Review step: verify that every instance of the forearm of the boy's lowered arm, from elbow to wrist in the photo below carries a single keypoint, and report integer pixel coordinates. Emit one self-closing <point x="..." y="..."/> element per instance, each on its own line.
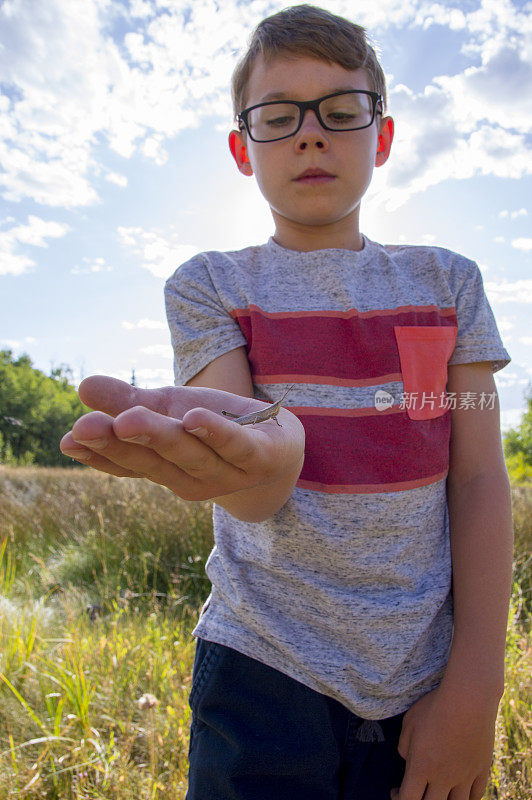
<point x="481" y="533"/>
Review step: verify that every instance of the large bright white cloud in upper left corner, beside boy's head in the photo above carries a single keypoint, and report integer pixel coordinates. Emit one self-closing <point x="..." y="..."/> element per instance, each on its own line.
<point x="72" y="85"/>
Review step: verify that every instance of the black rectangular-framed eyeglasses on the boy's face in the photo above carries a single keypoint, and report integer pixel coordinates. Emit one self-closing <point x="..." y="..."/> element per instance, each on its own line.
<point x="340" y="111"/>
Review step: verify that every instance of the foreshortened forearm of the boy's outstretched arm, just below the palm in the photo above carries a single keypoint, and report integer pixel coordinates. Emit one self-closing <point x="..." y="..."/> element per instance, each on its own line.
<point x="261" y="502"/>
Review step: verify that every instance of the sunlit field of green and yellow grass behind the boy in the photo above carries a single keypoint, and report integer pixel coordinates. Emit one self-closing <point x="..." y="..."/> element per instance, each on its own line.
<point x="101" y="582"/>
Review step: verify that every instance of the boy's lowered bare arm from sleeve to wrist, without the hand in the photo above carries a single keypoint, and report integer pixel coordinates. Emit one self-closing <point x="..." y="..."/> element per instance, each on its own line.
<point x="478" y="492"/>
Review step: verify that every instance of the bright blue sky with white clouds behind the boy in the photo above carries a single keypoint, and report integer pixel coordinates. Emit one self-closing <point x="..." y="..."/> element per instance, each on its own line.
<point x="115" y="167"/>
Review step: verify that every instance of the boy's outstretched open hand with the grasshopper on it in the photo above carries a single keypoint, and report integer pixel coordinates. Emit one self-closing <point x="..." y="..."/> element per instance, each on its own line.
<point x="146" y="433"/>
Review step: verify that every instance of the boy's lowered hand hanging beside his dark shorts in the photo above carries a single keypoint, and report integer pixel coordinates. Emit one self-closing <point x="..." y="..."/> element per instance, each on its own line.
<point x="447" y="741"/>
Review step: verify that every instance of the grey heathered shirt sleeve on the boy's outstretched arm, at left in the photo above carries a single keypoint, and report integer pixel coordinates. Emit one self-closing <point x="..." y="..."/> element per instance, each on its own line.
<point x="201" y="327"/>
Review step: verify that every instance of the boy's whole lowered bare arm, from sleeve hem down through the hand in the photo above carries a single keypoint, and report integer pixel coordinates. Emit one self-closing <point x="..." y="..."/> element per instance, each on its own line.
<point x="447" y="736"/>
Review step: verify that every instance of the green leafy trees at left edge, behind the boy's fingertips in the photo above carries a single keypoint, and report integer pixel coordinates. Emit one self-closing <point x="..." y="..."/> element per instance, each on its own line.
<point x="36" y="410"/>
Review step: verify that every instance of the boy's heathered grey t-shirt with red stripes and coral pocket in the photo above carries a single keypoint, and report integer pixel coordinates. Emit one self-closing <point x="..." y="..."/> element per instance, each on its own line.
<point x="347" y="588"/>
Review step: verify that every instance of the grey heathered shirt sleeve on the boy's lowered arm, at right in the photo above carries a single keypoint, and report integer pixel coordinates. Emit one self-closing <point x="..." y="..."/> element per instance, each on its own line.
<point x="478" y="337"/>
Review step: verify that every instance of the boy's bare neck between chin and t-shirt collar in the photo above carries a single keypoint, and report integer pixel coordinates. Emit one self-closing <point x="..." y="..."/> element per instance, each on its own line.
<point x="343" y="234"/>
